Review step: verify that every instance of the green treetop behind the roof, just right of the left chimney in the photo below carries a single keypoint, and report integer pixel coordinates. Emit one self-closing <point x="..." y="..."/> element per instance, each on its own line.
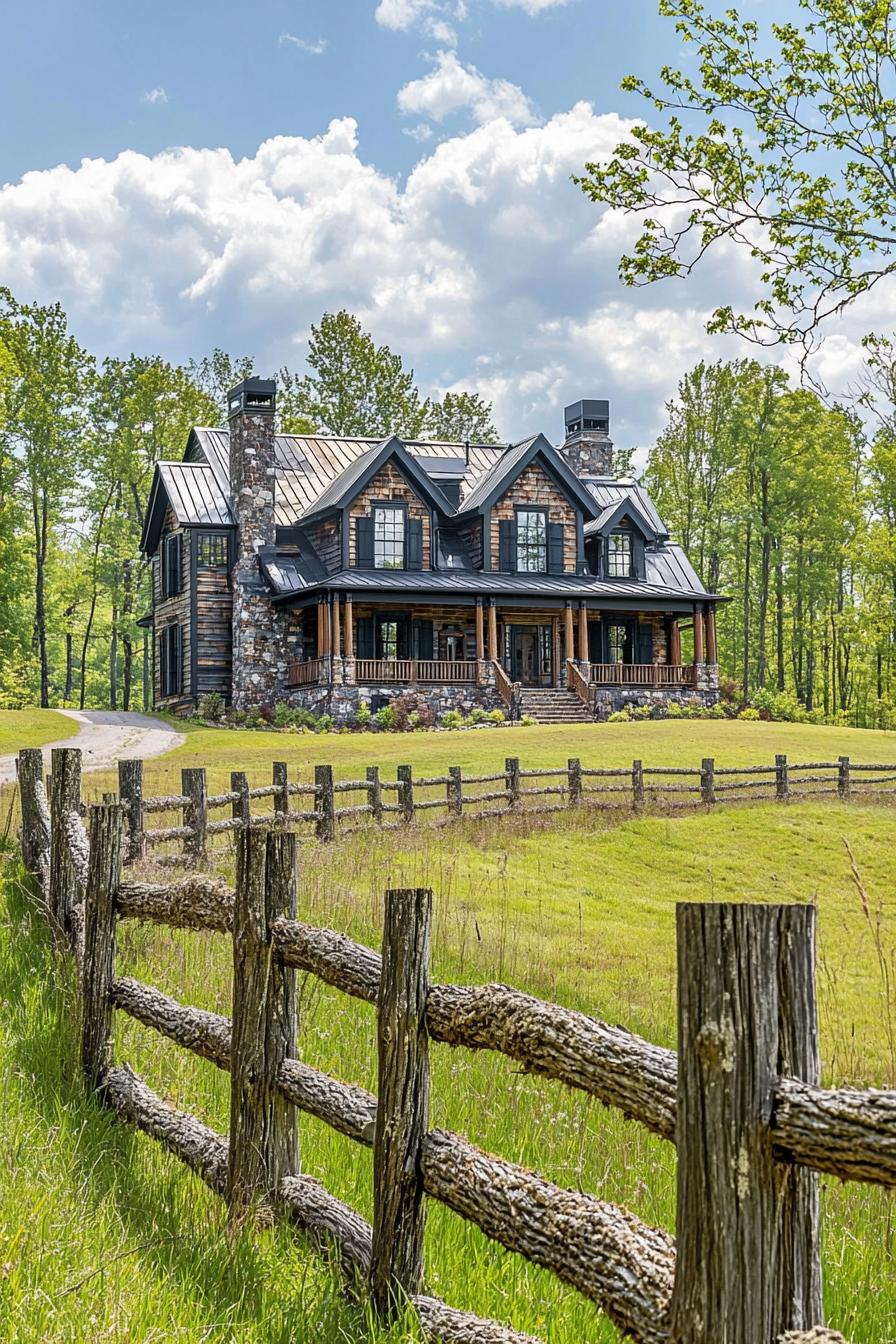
<point x="357" y="388"/>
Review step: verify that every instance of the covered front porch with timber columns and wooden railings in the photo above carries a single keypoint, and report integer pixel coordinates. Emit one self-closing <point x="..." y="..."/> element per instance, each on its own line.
<point x="345" y="640"/>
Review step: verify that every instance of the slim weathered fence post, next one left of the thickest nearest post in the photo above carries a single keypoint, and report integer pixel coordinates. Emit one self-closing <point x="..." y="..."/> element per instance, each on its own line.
<point x="404" y="1088"/>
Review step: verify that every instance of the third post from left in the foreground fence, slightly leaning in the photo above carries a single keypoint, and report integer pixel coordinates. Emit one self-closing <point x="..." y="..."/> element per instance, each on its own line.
<point x="99" y="967"/>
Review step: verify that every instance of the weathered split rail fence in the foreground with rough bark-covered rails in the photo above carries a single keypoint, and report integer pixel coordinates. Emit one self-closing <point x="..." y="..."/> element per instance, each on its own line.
<point x="741" y="1100"/>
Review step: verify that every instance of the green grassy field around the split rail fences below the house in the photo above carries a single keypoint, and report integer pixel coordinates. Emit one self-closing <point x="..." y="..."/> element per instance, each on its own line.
<point x="104" y="1237"/>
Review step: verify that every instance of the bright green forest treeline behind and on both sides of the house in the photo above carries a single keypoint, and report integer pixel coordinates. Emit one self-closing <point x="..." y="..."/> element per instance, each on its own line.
<point x="785" y="505"/>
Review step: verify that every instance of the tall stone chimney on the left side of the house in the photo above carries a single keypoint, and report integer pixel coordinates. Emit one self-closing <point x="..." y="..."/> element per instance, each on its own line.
<point x="259" y="661"/>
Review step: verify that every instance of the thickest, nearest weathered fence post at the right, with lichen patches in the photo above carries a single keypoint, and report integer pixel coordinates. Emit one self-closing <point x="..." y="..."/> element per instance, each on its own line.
<point x="748" y="1232"/>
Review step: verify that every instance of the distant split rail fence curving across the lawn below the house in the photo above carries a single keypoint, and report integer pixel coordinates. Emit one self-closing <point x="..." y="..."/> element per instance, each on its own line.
<point x="327" y="808"/>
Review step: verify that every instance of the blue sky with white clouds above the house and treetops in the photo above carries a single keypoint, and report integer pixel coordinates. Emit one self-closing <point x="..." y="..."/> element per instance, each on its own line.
<point x="209" y="174"/>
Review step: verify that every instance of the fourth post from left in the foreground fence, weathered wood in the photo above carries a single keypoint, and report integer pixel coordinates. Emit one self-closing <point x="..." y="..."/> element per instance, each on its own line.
<point x="264" y="1140"/>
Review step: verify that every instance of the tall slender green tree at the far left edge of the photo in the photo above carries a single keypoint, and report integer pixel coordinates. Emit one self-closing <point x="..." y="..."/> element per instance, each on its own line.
<point x="44" y="419"/>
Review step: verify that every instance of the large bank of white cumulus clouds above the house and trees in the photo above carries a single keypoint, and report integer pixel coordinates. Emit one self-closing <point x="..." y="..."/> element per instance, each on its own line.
<point x="486" y="269"/>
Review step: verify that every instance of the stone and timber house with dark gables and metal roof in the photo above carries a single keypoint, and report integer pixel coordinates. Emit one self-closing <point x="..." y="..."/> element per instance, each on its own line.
<point x="326" y="572"/>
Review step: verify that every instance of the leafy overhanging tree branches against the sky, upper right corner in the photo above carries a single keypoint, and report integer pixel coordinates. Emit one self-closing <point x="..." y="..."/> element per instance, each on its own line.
<point x="780" y="143"/>
